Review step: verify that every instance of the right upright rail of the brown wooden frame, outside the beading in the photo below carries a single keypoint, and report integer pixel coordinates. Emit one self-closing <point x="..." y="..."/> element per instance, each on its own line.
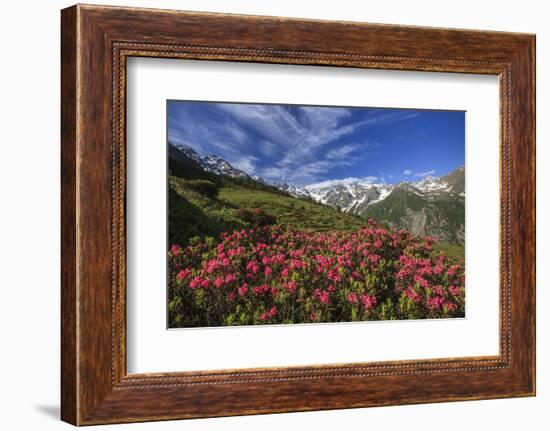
<point x="523" y="178"/>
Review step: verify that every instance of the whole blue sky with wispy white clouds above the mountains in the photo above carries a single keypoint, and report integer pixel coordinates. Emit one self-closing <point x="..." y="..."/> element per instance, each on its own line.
<point x="303" y="145"/>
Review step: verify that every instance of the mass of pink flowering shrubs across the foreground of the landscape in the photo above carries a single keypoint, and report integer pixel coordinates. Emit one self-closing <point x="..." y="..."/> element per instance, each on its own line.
<point x="269" y="274"/>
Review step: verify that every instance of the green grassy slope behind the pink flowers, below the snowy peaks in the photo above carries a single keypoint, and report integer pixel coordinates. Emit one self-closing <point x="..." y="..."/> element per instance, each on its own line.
<point x="192" y="213"/>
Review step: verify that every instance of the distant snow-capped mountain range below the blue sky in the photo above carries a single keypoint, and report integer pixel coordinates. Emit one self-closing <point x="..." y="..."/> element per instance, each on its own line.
<point x="433" y="206"/>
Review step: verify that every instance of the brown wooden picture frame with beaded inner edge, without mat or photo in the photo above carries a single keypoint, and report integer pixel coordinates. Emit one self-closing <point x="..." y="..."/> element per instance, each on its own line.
<point x="96" y="41"/>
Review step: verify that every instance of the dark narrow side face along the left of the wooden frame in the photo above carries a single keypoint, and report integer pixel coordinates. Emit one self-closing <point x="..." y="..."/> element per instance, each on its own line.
<point x="69" y="196"/>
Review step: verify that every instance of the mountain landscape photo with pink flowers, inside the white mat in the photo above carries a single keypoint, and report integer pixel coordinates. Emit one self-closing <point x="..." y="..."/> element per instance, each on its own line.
<point x="293" y="214"/>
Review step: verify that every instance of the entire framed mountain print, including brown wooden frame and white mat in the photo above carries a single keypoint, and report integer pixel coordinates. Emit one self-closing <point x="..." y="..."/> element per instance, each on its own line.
<point x="265" y="214"/>
